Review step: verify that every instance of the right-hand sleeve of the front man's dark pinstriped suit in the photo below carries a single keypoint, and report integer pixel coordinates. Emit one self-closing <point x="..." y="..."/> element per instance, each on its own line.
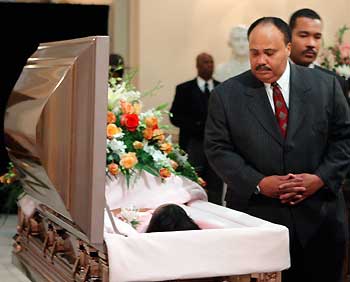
<point x="336" y="161"/>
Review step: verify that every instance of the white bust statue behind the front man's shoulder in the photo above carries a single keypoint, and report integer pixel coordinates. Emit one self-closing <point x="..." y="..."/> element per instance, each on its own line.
<point x="239" y="61"/>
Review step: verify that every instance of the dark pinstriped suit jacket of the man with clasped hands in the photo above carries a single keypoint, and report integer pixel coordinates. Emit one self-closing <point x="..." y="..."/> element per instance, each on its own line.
<point x="243" y="144"/>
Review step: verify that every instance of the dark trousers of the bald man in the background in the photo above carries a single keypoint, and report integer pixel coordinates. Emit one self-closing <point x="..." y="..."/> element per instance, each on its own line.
<point x="197" y="158"/>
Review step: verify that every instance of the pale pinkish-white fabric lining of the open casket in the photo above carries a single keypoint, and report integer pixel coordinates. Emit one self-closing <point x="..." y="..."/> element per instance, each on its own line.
<point x="230" y="242"/>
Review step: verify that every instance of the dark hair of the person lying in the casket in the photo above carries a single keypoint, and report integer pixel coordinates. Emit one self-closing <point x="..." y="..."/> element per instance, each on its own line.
<point x="171" y="217"/>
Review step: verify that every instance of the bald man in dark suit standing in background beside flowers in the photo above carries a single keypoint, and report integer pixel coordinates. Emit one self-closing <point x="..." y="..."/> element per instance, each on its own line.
<point x="189" y="112"/>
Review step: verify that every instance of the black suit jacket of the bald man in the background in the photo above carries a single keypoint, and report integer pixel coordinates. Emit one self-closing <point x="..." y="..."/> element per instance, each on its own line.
<point x="189" y="110"/>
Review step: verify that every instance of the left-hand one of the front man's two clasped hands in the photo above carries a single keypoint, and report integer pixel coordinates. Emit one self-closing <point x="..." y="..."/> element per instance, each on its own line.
<point x="270" y="185"/>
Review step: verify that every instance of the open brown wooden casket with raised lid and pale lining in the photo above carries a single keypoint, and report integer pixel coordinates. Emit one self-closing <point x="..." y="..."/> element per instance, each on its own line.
<point x="55" y="136"/>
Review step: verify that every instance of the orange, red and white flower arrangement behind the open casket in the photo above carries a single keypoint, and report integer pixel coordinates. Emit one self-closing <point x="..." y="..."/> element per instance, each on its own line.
<point x="137" y="141"/>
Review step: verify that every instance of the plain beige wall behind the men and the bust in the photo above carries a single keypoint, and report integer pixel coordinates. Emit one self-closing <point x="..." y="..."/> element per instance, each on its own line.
<point x="166" y="35"/>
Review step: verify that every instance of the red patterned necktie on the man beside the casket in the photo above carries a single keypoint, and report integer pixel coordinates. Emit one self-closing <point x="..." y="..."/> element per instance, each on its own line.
<point x="281" y="110"/>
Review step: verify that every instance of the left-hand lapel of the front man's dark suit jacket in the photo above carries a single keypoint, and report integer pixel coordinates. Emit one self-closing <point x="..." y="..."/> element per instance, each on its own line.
<point x="260" y="107"/>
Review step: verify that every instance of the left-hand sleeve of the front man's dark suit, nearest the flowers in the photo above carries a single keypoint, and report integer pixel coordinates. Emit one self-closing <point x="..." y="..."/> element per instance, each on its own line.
<point x="222" y="155"/>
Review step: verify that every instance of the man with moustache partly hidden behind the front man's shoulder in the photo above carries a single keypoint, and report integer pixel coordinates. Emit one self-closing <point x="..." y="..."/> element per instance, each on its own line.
<point x="306" y="27"/>
